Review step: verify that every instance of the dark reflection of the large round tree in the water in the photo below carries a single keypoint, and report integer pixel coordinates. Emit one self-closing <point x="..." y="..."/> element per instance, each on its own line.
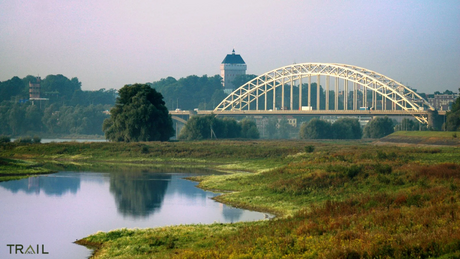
<point x="137" y="196"/>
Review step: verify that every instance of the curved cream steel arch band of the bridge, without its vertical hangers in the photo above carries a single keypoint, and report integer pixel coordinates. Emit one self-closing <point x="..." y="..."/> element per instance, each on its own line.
<point x="399" y="94"/>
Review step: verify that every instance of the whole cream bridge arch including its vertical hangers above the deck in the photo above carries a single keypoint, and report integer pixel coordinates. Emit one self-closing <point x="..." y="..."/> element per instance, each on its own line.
<point x="385" y="92"/>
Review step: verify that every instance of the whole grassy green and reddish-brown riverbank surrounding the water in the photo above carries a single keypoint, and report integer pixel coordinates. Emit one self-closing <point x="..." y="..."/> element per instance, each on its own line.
<point x="333" y="199"/>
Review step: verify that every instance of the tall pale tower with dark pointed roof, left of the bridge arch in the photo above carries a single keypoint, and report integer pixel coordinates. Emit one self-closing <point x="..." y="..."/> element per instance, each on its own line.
<point x="232" y="66"/>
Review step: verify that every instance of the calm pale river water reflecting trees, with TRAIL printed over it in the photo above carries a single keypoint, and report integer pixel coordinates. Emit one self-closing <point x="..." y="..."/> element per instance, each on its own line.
<point x="44" y="215"/>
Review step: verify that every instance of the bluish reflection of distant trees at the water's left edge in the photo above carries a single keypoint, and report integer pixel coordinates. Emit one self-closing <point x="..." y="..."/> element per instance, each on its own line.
<point x="51" y="185"/>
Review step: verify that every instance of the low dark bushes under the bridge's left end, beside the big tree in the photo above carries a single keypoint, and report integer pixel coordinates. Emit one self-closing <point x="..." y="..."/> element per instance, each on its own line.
<point x="210" y="126"/>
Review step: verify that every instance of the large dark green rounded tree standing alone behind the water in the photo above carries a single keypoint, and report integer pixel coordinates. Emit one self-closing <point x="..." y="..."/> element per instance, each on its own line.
<point x="139" y="114"/>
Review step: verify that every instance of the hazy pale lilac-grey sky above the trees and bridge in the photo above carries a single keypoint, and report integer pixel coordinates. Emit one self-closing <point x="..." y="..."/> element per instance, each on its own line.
<point x="110" y="43"/>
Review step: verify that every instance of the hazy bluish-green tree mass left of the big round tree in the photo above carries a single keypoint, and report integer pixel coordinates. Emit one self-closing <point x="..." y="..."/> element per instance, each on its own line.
<point x="67" y="110"/>
